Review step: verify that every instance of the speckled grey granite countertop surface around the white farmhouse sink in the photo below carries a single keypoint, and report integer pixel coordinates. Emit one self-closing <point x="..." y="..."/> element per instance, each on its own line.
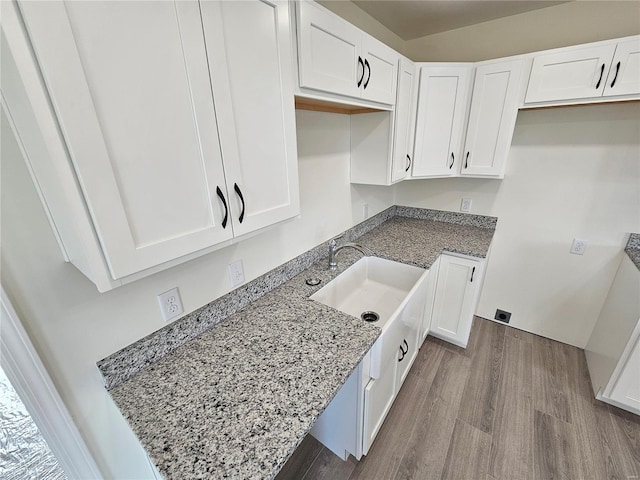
<point x="237" y="400"/>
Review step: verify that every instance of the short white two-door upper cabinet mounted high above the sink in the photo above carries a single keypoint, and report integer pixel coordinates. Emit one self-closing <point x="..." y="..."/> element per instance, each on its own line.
<point x="338" y="58"/>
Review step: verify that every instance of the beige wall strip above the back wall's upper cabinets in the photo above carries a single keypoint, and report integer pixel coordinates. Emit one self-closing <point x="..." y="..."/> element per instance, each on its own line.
<point x="566" y="24"/>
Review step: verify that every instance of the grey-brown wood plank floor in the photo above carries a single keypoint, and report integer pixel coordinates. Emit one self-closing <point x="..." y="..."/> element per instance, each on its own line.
<point x="512" y="406"/>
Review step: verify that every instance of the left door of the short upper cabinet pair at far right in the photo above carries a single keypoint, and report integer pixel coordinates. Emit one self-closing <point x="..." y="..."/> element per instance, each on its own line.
<point x="578" y="73"/>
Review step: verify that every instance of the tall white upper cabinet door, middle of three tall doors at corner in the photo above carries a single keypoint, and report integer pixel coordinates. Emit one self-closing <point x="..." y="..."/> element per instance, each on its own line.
<point x="442" y="105"/>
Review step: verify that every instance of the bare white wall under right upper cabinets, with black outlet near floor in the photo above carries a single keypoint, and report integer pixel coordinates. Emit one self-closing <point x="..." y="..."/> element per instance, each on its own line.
<point x="571" y="172"/>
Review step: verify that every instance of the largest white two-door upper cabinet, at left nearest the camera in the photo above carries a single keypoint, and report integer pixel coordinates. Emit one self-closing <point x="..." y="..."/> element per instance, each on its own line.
<point x="177" y="145"/>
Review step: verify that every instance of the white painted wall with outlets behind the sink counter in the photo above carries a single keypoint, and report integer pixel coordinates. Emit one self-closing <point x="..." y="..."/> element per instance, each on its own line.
<point x="73" y="326"/>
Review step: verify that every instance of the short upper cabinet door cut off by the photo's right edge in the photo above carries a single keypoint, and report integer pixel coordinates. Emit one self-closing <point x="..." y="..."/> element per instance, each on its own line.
<point x="624" y="74"/>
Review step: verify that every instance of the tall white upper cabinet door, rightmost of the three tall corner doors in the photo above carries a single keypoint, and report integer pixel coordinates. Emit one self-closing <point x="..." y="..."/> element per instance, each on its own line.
<point x="492" y="119"/>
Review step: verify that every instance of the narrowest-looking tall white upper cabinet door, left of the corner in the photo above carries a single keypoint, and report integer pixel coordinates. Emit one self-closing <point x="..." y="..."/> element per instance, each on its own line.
<point x="401" y="162"/>
